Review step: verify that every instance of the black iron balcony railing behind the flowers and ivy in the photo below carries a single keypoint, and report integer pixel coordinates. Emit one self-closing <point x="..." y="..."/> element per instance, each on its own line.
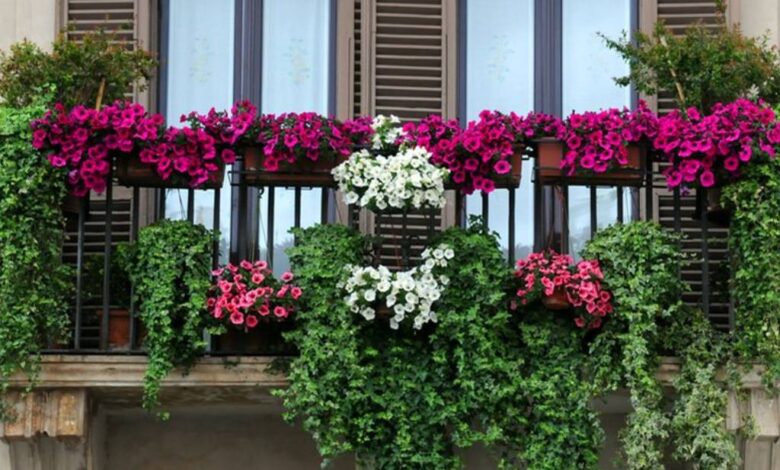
<point x="102" y="223"/>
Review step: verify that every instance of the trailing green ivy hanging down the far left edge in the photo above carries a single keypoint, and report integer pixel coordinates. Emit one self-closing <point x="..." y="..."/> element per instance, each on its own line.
<point x="34" y="284"/>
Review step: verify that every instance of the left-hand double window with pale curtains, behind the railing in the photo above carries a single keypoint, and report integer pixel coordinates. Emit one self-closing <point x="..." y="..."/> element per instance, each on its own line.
<point x="212" y="51"/>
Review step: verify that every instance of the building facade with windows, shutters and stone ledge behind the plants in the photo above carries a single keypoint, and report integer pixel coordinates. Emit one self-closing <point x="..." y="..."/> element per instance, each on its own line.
<point x="410" y="58"/>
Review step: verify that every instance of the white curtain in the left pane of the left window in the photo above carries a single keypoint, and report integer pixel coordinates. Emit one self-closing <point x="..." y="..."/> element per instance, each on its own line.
<point x="199" y="64"/>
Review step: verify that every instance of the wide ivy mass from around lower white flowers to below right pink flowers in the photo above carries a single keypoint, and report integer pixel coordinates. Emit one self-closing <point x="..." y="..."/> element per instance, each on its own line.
<point x="400" y="399"/>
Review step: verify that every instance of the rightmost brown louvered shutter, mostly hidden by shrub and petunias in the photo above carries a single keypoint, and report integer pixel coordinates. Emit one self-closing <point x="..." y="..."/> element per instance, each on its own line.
<point x="678" y="15"/>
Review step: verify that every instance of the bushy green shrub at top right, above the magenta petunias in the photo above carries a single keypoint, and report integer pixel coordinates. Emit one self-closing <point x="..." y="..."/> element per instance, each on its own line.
<point x="705" y="65"/>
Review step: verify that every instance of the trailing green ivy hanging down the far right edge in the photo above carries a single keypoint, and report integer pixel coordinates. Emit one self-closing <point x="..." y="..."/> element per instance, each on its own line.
<point x="754" y="242"/>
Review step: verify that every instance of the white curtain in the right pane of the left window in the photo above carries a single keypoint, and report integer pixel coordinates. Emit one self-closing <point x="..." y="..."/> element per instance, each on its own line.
<point x="296" y="51"/>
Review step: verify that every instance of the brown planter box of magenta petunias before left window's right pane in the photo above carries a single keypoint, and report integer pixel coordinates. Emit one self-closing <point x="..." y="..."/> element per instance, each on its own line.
<point x="303" y="173"/>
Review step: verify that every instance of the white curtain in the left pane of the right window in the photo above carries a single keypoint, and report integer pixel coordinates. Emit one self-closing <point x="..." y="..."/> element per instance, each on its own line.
<point x="499" y="76"/>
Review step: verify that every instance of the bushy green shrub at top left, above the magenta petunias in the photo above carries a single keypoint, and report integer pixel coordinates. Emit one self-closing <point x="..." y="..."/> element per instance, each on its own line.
<point x="75" y="72"/>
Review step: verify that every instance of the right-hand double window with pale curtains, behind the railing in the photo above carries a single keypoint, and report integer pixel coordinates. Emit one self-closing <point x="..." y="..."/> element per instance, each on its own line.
<point x="505" y="41"/>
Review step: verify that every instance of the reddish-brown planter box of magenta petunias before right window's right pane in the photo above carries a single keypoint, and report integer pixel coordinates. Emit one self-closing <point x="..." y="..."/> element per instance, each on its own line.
<point x="550" y="152"/>
